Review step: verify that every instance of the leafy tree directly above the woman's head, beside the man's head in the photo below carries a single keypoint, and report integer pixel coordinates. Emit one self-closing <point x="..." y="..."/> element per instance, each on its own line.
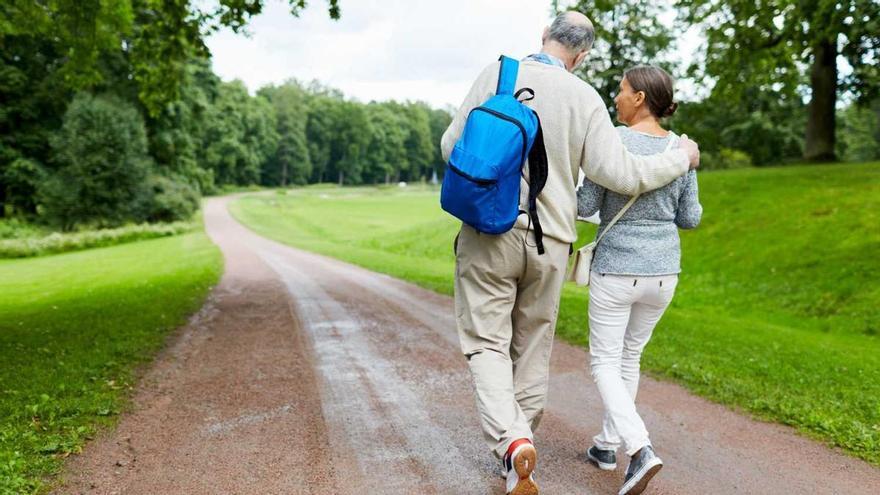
<point x="628" y="33"/>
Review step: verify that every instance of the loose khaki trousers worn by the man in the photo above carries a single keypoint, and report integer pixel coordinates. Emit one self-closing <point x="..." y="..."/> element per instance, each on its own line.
<point x="506" y="303"/>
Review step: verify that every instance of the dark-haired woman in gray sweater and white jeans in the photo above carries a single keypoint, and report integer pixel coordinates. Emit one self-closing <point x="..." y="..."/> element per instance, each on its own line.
<point x="634" y="273"/>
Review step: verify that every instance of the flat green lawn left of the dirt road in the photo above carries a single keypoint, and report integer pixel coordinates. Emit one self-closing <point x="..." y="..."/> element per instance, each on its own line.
<point x="73" y="329"/>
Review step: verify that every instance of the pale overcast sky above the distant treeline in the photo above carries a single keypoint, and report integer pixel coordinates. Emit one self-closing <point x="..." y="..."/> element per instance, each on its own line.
<point x="382" y="49"/>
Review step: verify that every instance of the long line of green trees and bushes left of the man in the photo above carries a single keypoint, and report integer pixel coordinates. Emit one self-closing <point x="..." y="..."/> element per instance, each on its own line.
<point x="98" y="158"/>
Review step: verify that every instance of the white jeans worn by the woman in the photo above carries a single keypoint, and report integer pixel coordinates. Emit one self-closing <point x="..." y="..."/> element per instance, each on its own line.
<point x="623" y="313"/>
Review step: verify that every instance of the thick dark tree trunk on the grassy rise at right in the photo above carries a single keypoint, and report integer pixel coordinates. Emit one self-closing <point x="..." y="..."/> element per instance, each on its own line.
<point x="820" y="137"/>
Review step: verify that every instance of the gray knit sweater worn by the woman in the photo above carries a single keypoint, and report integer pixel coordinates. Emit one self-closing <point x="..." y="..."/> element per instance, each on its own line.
<point x="645" y="239"/>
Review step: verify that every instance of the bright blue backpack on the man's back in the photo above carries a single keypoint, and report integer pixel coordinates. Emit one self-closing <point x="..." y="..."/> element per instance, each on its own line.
<point x="481" y="186"/>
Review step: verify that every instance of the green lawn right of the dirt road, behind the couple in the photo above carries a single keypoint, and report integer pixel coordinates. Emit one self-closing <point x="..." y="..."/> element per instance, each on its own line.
<point x="777" y="311"/>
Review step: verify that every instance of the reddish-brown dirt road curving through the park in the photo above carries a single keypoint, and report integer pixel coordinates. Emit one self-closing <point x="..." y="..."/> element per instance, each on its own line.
<point x="303" y="374"/>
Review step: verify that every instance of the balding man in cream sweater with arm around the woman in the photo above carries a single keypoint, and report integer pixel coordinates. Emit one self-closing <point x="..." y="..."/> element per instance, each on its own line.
<point x="506" y="293"/>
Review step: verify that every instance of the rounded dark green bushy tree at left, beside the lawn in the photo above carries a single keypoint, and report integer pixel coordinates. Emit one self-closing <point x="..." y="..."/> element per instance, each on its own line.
<point x="101" y="155"/>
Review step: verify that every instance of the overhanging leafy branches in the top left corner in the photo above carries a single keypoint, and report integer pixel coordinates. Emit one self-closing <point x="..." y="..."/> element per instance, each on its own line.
<point x="158" y="36"/>
